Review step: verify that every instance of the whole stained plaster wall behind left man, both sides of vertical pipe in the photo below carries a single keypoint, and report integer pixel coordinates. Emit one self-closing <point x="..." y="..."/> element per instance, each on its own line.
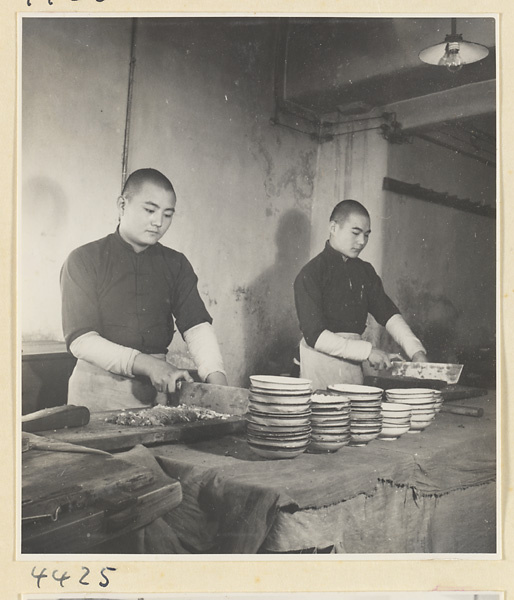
<point x="202" y="102"/>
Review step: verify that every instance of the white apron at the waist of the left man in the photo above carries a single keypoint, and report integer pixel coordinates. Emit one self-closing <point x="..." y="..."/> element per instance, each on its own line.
<point x="101" y="390"/>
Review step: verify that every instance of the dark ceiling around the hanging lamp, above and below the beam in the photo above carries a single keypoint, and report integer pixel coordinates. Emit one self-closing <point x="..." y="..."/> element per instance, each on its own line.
<point x="340" y="65"/>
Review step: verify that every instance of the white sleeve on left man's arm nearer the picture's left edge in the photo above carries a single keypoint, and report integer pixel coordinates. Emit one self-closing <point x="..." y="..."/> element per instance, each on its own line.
<point x="112" y="357"/>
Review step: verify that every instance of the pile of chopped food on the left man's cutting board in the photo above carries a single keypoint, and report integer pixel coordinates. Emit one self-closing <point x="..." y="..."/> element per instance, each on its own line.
<point x="165" y="415"/>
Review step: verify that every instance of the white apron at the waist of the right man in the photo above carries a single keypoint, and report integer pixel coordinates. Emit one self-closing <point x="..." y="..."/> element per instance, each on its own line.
<point x="324" y="370"/>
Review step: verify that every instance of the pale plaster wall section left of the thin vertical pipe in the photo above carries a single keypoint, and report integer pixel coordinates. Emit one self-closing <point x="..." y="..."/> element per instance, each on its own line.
<point x="74" y="88"/>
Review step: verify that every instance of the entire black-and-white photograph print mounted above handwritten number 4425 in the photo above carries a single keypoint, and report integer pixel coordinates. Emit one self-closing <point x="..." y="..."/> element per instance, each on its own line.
<point x="257" y="286"/>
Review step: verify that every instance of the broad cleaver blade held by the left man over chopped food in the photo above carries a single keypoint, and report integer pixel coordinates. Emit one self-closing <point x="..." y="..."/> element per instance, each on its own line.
<point x="221" y="398"/>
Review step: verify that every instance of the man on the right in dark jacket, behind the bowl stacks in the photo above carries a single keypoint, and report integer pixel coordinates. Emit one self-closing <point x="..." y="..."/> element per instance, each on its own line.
<point x="334" y="293"/>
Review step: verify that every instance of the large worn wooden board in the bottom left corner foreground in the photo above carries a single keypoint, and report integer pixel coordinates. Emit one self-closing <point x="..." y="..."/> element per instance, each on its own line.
<point x="71" y="502"/>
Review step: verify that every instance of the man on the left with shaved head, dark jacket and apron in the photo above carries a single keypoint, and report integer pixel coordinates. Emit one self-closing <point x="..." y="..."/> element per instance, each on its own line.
<point x="121" y="298"/>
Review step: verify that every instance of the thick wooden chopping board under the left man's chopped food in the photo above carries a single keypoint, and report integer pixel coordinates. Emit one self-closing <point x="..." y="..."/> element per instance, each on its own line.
<point x="110" y="437"/>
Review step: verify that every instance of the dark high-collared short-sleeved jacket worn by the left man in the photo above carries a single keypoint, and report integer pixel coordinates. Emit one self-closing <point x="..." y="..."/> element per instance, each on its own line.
<point x="133" y="299"/>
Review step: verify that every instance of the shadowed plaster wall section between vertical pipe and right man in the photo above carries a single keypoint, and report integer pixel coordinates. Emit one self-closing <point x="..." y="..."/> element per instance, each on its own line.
<point x="201" y="113"/>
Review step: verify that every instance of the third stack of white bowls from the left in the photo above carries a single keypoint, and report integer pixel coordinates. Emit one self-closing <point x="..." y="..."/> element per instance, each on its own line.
<point x="365" y="411"/>
